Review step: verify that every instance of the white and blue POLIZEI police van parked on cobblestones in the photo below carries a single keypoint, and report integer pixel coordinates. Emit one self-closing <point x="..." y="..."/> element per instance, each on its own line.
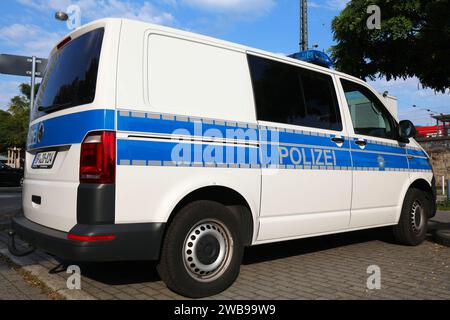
<point x="149" y="143"/>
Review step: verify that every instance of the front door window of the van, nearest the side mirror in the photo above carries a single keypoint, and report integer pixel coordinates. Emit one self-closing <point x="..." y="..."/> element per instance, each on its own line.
<point x="369" y="116"/>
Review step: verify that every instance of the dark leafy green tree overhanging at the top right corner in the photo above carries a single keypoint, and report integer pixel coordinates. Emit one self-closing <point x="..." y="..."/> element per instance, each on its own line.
<point x="414" y="40"/>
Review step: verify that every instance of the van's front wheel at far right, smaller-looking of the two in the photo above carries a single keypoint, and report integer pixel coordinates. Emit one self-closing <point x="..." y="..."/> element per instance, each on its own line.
<point x="412" y="227"/>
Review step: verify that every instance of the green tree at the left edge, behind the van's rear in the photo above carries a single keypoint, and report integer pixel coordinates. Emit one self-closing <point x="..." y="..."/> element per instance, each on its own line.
<point x="14" y="122"/>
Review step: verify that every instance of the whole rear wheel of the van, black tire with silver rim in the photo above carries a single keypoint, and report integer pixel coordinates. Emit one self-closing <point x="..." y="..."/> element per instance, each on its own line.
<point x="212" y="225"/>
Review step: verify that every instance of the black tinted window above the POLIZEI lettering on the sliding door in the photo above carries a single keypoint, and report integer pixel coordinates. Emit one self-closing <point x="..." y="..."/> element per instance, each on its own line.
<point x="292" y="95"/>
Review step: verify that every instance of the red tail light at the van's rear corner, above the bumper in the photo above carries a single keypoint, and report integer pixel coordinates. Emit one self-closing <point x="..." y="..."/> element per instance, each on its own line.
<point x="98" y="158"/>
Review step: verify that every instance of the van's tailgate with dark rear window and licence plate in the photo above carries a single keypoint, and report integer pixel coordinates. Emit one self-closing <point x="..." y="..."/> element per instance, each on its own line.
<point x="65" y="111"/>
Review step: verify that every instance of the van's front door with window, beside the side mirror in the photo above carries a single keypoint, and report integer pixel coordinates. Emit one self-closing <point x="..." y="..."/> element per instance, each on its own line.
<point x="380" y="164"/>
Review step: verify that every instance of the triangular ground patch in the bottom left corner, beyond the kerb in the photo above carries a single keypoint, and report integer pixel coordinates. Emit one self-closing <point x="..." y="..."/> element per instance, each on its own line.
<point x="14" y="287"/>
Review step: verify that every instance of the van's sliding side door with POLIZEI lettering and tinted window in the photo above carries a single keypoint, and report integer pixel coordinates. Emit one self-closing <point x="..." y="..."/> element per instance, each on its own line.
<point x="306" y="166"/>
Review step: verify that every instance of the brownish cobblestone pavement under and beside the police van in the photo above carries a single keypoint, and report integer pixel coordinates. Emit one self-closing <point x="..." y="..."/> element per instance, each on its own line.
<point x="330" y="267"/>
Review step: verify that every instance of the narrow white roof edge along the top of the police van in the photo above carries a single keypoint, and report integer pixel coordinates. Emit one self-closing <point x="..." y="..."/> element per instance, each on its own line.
<point x="210" y="40"/>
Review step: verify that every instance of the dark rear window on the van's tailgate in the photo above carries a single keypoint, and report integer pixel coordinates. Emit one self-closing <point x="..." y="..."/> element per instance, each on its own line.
<point x="71" y="76"/>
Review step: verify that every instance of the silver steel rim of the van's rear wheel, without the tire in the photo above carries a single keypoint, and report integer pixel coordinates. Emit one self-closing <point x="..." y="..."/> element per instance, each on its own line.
<point x="207" y="250"/>
